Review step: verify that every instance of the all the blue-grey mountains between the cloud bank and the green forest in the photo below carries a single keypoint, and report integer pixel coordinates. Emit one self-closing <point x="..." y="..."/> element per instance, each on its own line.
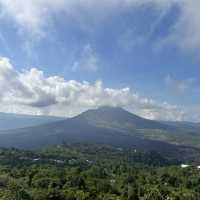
<point x="105" y="125"/>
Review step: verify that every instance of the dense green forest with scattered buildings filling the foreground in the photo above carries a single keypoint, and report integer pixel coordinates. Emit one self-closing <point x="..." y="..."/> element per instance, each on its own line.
<point x="94" y="172"/>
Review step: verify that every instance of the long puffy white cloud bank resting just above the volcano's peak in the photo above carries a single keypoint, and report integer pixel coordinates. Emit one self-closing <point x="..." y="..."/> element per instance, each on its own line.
<point x="32" y="93"/>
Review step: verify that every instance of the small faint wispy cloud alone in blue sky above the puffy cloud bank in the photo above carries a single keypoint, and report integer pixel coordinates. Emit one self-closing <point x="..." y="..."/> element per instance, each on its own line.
<point x="88" y="60"/>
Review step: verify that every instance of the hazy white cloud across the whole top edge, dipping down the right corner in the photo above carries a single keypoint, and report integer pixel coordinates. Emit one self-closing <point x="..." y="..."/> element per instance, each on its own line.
<point x="36" y="16"/>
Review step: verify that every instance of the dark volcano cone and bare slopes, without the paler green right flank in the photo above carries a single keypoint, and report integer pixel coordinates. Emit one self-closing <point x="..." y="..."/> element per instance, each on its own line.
<point x="105" y="125"/>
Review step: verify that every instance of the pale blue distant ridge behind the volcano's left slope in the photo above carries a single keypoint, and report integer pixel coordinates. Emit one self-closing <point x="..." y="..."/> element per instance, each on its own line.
<point x="13" y="121"/>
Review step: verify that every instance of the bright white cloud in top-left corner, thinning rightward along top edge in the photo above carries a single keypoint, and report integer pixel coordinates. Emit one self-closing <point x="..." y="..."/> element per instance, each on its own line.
<point x="36" y="15"/>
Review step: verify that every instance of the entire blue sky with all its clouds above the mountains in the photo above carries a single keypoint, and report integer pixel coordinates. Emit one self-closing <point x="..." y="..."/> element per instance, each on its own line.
<point x="63" y="57"/>
